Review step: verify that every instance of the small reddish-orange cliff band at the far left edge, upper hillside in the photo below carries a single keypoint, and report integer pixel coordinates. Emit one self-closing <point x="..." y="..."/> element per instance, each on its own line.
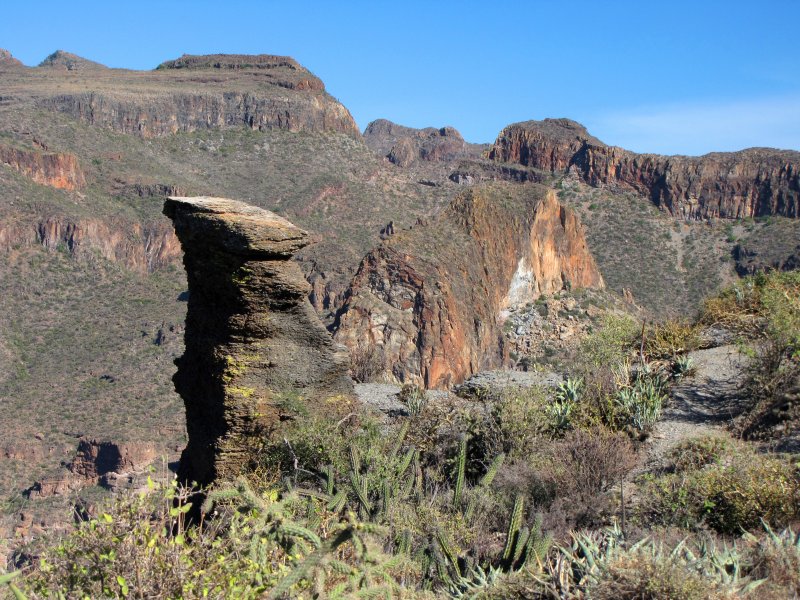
<point x="47" y="168"/>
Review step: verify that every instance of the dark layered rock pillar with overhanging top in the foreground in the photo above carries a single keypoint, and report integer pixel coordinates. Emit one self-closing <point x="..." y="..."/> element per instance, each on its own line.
<point x="255" y="349"/>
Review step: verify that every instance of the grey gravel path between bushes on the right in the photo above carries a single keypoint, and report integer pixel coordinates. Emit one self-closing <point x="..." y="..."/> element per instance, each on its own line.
<point x="700" y="404"/>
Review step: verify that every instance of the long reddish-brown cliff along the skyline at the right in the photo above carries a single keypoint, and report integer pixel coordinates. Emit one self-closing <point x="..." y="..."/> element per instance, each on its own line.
<point x="750" y="183"/>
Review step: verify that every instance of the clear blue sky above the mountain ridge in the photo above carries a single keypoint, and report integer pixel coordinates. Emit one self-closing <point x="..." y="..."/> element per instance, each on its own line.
<point x="669" y="77"/>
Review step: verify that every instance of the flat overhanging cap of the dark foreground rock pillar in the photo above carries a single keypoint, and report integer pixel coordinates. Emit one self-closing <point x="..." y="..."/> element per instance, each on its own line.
<point x="234" y="227"/>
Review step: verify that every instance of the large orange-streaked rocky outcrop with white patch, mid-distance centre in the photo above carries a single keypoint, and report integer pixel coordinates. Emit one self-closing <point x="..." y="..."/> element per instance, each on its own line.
<point x="431" y="299"/>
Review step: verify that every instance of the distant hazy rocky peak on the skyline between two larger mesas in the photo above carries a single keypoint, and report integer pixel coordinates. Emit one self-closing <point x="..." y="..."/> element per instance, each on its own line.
<point x="405" y="146"/>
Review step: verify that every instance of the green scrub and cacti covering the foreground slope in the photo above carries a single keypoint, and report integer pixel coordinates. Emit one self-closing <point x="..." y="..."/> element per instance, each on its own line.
<point x="520" y="493"/>
